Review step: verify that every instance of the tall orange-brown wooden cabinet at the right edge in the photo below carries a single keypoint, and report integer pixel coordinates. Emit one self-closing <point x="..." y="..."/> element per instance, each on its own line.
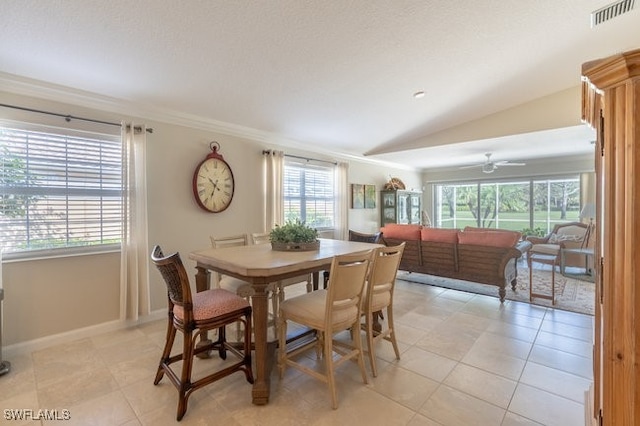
<point x="611" y="104"/>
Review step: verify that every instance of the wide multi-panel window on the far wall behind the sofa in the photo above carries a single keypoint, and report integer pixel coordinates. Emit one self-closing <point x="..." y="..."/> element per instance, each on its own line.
<point x="516" y="205"/>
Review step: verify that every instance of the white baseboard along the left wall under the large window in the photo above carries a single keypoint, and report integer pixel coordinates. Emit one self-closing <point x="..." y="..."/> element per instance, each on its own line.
<point x="81" y="333"/>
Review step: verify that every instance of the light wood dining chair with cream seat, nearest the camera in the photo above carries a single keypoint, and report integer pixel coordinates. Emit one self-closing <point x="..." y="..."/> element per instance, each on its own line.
<point x="328" y="312"/>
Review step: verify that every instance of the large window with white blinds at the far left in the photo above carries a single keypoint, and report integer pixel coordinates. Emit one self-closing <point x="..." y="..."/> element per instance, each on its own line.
<point x="59" y="190"/>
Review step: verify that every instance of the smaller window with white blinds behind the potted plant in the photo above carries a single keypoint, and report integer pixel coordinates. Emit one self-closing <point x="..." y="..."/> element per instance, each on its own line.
<point x="309" y="194"/>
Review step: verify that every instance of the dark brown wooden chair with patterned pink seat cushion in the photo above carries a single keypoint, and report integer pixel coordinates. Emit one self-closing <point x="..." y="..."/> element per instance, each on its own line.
<point x="193" y="315"/>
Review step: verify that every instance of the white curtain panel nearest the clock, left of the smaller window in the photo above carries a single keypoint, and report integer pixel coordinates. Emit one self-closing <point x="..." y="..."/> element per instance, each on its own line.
<point x="273" y="188"/>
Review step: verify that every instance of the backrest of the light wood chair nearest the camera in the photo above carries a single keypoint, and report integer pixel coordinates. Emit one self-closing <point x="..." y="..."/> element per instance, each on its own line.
<point x="344" y="291"/>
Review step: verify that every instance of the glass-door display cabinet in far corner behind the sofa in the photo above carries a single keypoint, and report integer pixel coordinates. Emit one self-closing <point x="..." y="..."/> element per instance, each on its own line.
<point x="400" y="206"/>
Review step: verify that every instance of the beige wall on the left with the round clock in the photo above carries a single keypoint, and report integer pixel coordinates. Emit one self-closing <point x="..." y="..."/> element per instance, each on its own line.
<point x="60" y="296"/>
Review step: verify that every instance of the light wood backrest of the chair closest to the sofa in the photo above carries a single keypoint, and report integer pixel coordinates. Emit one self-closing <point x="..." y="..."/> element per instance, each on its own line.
<point x="382" y="275"/>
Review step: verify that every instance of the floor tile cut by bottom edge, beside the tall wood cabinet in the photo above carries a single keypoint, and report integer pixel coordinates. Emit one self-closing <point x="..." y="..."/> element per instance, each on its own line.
<point x="546" y="408"/>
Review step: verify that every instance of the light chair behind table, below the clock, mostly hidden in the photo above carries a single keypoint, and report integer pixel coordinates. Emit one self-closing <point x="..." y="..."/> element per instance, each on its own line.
<point x="238" y="286"/>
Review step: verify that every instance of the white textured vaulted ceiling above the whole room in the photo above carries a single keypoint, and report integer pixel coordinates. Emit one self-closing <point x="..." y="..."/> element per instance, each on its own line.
<point x="329" y="76"/>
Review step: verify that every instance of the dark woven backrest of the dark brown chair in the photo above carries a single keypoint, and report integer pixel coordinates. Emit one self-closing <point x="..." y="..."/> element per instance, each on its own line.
<point x="175" y="277"/>
